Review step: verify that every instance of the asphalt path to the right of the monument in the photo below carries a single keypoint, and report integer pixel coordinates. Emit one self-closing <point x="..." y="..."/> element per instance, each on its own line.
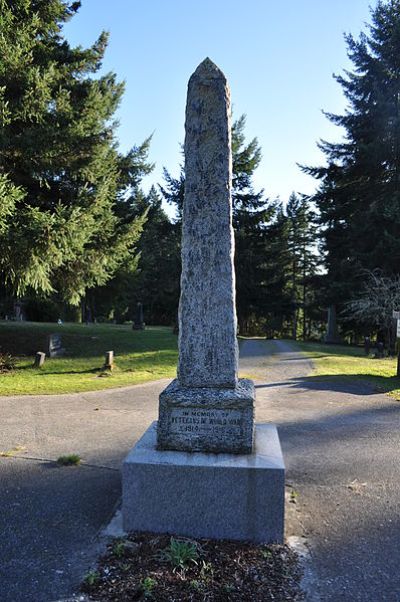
<point x="341" y="446"/>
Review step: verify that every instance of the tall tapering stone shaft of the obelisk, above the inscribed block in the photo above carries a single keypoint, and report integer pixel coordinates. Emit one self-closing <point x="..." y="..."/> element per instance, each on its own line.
<point x="208" y="353"/>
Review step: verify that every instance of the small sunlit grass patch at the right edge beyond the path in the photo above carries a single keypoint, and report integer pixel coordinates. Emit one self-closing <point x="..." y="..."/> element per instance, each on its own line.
<point x="351" y="363"/>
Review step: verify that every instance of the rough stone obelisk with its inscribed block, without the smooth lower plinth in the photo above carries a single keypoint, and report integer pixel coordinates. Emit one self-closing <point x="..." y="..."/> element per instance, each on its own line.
<point x="206" y="408"/>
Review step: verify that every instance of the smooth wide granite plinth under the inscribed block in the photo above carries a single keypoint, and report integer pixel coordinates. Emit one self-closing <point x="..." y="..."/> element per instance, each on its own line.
<point x="205" y="495"/>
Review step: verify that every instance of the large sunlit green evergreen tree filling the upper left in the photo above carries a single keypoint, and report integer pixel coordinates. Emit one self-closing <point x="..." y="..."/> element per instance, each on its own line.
<point x="62" y="178"/>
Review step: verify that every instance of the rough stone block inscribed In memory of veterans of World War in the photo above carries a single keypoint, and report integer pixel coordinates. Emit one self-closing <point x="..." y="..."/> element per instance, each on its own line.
<point x="207" y="419"/>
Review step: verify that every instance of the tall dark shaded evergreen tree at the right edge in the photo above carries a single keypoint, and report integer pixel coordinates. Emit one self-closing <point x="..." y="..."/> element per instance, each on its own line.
<point x="358" y="198"/>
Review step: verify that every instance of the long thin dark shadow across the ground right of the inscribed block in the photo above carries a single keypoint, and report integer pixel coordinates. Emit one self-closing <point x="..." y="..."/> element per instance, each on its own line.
<point x="356" y="384"/>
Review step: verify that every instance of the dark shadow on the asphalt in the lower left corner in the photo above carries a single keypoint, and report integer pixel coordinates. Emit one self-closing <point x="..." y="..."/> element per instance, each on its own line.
<point x="50" y="521"/>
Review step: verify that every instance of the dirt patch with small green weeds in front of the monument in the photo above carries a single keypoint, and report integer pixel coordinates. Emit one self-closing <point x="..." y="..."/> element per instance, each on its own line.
<point x="160" y="568"/>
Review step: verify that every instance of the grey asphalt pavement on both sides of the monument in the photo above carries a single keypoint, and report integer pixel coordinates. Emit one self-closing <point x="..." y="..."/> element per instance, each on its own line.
<point x="341" y="448"/>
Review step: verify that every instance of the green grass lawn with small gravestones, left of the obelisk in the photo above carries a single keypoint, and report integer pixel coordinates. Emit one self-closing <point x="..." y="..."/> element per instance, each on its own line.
<point x="140" y="356"/>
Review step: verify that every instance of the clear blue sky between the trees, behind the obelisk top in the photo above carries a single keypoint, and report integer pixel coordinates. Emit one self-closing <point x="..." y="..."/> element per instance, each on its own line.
<point x="278" y="56"/>
